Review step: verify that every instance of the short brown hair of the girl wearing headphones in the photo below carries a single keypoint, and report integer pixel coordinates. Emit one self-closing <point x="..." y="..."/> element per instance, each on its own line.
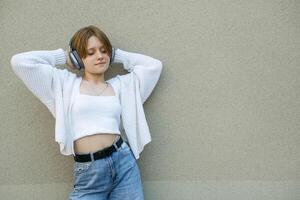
<point x="79" y="40"/>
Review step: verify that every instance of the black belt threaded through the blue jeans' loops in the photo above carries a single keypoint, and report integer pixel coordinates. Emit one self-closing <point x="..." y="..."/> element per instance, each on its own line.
<point x="99" y="154"/>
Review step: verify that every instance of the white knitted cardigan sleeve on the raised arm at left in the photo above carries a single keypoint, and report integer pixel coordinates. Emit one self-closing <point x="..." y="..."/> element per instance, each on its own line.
<point x="38" y="72"/>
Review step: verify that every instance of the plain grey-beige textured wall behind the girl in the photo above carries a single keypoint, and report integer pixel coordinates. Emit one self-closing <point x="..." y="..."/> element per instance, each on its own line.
<point x="224" y="116"/>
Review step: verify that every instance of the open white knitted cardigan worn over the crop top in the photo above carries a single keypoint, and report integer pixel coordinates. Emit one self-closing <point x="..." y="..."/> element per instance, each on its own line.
<point x="56" y="88"/>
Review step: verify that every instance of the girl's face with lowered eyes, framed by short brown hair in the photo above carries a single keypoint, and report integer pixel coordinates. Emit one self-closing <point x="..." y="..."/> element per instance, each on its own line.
<point x="97" y="60"/>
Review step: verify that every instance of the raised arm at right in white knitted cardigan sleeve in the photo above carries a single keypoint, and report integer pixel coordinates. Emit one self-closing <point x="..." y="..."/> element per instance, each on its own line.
<point x="146" y="68"/>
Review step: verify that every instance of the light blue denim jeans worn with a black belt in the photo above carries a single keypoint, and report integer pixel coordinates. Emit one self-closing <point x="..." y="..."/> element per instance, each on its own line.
<point x="116" y="177"/>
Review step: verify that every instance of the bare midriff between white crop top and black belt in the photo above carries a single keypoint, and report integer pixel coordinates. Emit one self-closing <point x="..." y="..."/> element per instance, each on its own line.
<point x="93" y="143"/>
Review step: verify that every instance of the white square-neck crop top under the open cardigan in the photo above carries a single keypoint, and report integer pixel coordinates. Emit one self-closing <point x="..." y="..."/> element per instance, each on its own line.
<point x="95" y="114"/>
